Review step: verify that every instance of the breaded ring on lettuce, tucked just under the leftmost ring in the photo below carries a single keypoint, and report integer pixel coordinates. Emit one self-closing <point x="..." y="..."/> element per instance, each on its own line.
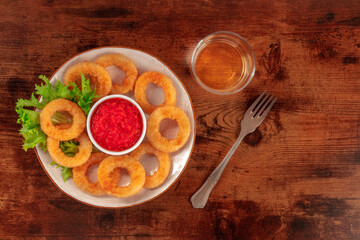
<point x="85" y="148"/>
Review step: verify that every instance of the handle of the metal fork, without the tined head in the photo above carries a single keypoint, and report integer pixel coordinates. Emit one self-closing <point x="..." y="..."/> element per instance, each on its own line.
<point x="200" y="197"/>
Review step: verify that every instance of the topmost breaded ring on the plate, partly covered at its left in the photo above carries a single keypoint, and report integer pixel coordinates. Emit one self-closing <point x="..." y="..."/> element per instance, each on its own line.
<point x="124" y="64"/>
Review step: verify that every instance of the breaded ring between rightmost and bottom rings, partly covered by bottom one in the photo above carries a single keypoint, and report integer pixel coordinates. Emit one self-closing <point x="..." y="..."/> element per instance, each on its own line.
<point x="155" y="180"/>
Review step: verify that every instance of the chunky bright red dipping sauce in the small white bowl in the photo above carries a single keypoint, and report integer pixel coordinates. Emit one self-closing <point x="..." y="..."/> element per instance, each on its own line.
<point x="116" y="124"/>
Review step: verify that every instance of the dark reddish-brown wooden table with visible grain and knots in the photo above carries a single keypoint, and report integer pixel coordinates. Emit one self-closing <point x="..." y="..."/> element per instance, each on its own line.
<point x="296" y="177"/>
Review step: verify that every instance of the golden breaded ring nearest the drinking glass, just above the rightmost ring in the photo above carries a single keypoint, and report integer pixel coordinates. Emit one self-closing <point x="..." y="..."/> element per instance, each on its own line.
<point x="159" y="79"/>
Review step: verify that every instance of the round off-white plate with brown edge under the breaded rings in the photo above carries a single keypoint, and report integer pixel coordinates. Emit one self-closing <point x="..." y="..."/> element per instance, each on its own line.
<point x="144" y="62"/>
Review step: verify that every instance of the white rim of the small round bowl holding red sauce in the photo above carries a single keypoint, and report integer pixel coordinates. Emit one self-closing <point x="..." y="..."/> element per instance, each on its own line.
<point x="89" y="121"/>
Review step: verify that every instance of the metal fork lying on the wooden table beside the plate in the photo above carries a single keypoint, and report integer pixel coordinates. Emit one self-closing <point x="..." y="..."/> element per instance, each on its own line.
<point x="252" y="119"/>
